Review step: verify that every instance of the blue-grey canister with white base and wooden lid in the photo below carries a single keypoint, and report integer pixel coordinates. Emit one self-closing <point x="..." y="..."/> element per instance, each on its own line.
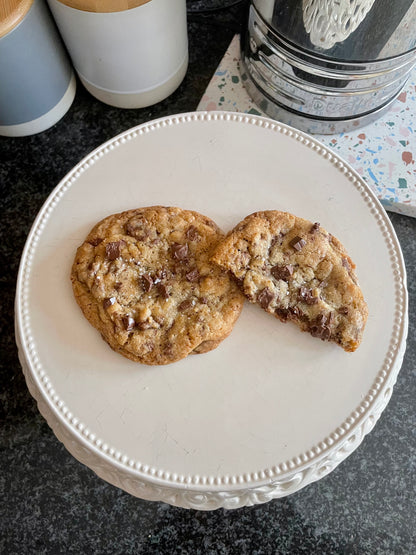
<point x="37" y="83"/>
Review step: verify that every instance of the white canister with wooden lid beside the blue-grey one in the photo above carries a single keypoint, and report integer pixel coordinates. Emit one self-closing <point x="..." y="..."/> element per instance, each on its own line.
<point x="127" y="53"/>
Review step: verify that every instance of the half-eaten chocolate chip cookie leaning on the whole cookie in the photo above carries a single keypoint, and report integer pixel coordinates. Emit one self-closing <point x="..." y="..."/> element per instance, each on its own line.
<point x="298" y="272"/>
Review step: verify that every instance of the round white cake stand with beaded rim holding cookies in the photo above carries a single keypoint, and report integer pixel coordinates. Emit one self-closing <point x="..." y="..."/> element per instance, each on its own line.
<point x="271" y="409"/>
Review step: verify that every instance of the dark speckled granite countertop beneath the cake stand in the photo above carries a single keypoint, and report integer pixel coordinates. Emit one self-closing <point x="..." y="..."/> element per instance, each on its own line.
<point x="50" y="503"/>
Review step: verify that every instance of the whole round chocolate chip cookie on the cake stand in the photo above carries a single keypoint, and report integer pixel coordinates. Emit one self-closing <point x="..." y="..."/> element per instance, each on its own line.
<point x="144" y="279"/>
